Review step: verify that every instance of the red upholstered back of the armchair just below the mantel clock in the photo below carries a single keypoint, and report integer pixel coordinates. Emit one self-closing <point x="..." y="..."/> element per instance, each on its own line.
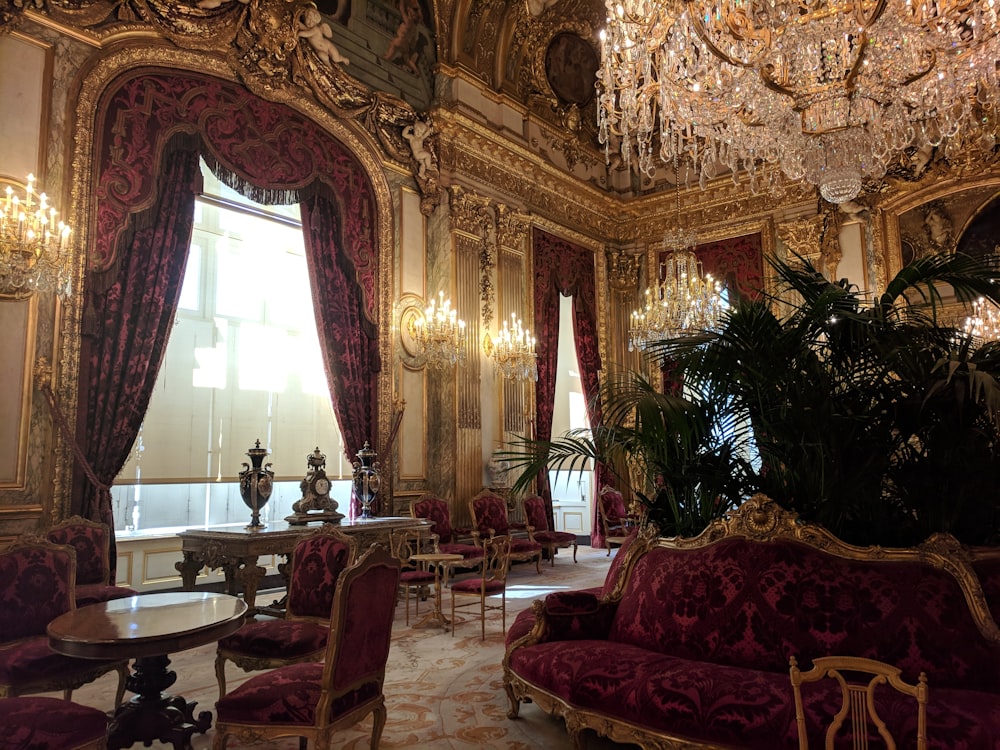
<point x="317" y="562"/>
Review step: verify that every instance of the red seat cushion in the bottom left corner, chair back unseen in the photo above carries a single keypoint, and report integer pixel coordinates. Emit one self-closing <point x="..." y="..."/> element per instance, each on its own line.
<point x="38" y="723"/>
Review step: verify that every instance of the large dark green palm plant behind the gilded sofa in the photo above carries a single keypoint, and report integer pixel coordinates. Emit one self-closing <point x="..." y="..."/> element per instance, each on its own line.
<point x="877" y="418"/>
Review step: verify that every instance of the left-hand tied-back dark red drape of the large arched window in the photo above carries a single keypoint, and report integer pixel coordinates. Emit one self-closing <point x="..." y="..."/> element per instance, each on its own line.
<point x="129" y="321"/>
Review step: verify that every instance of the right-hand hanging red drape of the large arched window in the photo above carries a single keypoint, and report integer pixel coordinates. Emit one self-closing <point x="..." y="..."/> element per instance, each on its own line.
<point x="350" y="340"/>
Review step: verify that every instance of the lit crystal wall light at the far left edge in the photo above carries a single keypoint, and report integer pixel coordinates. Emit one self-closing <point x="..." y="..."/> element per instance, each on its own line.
<point x="35" y="252"/>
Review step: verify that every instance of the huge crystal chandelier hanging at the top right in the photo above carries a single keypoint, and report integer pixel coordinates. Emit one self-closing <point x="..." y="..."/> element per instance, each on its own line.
<point x="829" y="90"/>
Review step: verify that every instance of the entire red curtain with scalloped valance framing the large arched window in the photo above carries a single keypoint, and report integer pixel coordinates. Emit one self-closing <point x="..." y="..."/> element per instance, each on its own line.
<point x="268" y="152"/>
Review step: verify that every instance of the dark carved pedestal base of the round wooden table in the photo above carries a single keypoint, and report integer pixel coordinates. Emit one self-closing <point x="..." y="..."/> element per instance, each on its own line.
<point x="153" y="715"/>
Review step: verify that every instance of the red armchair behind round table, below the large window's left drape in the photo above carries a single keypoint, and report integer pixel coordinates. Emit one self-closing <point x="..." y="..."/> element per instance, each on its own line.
<point x="92" y="542"/>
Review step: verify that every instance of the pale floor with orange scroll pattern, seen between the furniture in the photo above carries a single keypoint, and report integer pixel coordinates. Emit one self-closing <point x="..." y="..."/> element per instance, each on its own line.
<point x="443" y="690"/>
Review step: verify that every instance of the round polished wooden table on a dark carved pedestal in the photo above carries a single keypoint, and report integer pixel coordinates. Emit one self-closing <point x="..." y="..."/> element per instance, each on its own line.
<point x="147" y="628"/>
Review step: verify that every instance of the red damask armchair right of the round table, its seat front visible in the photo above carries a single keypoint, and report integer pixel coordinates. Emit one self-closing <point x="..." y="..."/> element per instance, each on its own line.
<point x="317" y="562"/>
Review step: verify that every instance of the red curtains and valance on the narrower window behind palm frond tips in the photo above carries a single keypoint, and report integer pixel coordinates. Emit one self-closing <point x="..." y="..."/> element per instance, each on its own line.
<point x="563" y="268"/>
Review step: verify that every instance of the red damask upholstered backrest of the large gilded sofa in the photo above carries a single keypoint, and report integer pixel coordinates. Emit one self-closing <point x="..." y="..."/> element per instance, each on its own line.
<point x="755" y="604"/>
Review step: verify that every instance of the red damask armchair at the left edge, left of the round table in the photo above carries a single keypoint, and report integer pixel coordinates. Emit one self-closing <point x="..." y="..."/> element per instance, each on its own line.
<point x="36" y="586"/>
